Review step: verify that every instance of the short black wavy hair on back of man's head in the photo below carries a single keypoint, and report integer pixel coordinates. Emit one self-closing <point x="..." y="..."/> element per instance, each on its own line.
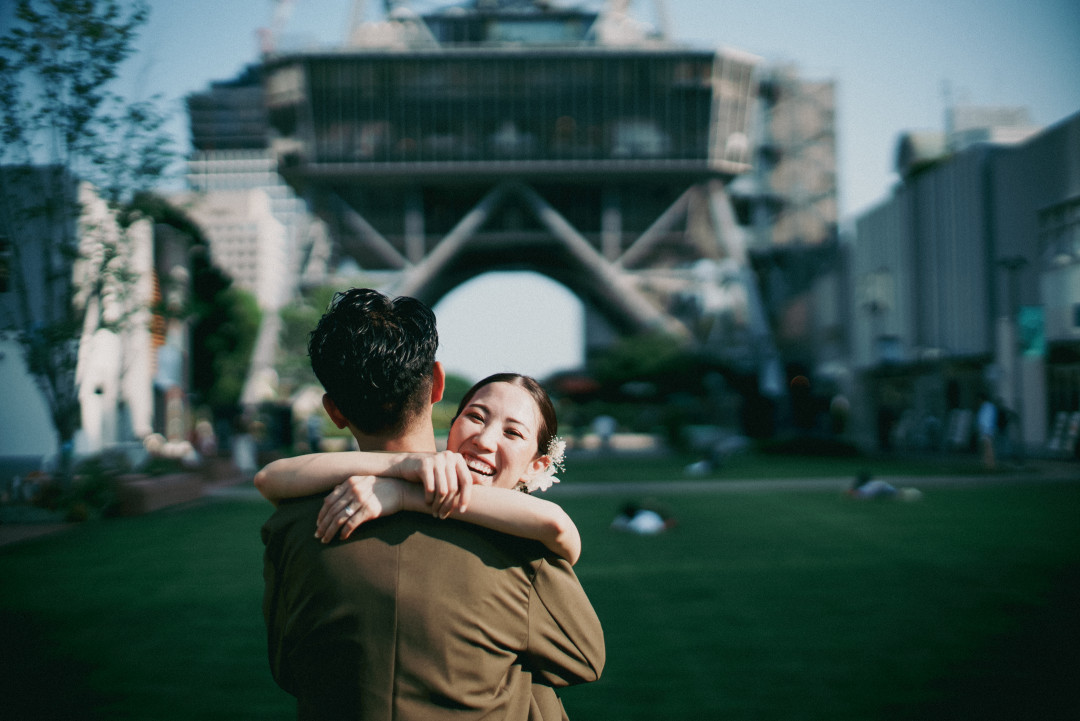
<point x="375" y="358"/>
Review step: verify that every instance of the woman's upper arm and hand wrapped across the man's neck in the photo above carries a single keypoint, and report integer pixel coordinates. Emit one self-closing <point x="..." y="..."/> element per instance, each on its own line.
<point x="444" y="477"/>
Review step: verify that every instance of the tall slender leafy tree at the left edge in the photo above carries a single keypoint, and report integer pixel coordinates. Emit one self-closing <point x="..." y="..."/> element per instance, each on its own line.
<point x="69" y="143"/>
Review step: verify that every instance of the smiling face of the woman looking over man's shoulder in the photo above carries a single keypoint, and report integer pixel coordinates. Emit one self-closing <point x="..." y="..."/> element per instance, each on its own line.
<point x="497" y="436"/>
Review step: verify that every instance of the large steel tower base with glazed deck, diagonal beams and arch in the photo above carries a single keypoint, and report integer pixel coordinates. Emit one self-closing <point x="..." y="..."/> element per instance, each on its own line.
<point x="521" y="135"/>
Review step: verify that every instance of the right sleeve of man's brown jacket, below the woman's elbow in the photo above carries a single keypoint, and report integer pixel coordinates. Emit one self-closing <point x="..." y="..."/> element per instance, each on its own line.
<point x="566" y="641"/>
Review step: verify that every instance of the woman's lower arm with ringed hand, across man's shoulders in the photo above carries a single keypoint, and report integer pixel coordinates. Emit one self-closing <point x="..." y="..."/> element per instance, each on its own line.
<point x="361" y="499"/>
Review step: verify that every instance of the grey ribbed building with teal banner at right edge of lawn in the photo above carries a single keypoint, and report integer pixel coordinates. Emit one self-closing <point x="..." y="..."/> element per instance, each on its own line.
<point x="977" y="244"/>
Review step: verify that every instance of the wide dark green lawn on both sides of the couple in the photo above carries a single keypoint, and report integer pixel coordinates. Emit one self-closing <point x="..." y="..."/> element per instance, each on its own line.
<point x="757" y="606"/>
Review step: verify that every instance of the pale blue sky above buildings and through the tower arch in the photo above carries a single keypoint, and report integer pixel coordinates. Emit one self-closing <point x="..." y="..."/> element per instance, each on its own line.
<point x="892" y="62"/>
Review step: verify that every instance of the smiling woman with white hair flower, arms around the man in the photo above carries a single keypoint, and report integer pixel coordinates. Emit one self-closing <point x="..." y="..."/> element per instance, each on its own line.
<point x="503" y="440"/>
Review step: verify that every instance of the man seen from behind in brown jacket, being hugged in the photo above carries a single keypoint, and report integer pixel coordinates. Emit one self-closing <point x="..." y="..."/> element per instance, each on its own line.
<point x="413" y="617"/>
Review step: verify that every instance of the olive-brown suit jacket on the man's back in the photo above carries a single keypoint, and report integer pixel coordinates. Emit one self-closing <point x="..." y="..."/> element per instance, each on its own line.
<point x="420" y="619"/>
